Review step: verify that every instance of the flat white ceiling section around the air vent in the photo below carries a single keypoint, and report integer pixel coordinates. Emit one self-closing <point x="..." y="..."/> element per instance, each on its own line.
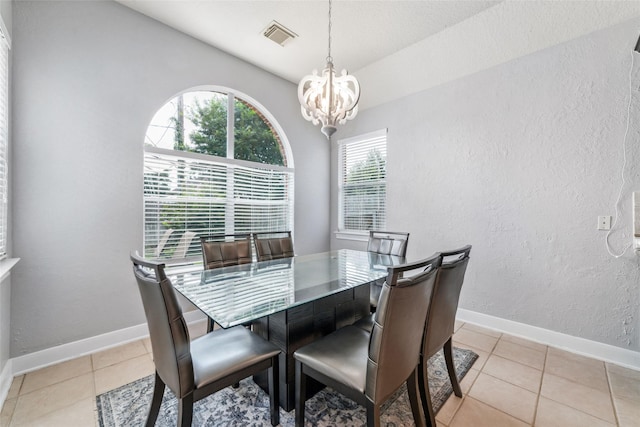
<point x="363" y="32"/>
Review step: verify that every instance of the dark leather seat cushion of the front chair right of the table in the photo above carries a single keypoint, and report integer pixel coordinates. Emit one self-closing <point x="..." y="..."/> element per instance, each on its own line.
<point x="342" y="355"/>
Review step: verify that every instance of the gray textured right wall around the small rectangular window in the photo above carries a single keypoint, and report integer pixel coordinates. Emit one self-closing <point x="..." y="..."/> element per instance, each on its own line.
<point x="519" y="160"/>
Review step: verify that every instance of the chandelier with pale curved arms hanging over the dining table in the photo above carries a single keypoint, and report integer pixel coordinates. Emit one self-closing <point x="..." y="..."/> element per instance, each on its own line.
<point x="327" y="98"/>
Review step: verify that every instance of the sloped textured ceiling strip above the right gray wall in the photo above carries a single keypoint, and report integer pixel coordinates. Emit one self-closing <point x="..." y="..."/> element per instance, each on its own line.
<point x="497" y="35"/>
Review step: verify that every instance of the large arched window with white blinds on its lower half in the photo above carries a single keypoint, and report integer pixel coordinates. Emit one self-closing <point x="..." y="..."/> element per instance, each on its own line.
<point x="214" y="163"/>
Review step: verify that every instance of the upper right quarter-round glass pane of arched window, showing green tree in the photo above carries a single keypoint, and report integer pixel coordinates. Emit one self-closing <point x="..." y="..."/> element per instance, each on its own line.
<point x="255" y="140"/>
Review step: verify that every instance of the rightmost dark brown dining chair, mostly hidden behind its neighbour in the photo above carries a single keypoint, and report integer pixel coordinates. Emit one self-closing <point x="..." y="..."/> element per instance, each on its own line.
<point x="440" y="323"/>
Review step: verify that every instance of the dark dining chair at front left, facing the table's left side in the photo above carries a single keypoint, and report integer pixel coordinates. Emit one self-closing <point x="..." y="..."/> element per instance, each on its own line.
<point x="196" y="369"/>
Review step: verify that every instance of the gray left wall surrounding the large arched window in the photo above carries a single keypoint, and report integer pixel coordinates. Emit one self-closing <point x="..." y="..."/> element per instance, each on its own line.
<point x="88" y="78"/>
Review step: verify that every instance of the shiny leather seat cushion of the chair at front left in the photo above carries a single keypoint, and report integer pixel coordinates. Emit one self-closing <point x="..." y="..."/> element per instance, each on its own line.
<point x="224" y="351"/>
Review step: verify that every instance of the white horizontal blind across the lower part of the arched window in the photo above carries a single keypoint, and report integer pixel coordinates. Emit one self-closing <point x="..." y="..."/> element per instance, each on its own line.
<point x="188" y="195"/>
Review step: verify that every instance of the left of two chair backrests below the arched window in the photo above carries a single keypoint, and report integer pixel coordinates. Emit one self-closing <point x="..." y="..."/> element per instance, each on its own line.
<point x="222" y="250"/>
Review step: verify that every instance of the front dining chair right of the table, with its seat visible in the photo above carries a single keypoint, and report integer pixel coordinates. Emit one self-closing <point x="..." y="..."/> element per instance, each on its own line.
<point x="370" y="367"/>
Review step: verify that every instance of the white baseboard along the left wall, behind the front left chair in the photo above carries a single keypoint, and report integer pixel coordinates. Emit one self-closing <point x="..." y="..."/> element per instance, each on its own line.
<point x="64" y="352"/>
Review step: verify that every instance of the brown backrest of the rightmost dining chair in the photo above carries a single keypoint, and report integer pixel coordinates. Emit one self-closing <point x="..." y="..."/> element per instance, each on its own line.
<point x="444" y="301"/>
